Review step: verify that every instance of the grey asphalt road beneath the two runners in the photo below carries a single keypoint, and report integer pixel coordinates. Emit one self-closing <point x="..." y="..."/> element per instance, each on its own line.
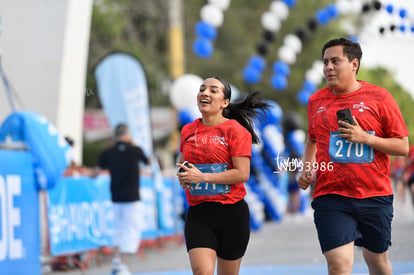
<point x="287" y="247"/>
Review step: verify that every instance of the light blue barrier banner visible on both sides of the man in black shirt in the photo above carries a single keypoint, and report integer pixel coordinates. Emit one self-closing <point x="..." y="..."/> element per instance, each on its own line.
<point x="80" y="213"/>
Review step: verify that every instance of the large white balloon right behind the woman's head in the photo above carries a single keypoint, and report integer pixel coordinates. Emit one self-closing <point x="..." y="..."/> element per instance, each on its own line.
<point x="184" y="90"/>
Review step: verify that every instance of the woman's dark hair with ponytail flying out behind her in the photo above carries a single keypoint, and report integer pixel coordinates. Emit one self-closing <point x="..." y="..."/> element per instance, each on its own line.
<point x="253" y="106"/>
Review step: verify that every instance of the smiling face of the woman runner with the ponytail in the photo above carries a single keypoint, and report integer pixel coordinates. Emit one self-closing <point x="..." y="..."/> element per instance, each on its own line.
<point x="210" y="98"/>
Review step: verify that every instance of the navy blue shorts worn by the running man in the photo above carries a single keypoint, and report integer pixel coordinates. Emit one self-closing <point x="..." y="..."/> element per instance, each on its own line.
<point x="340" y="220"/>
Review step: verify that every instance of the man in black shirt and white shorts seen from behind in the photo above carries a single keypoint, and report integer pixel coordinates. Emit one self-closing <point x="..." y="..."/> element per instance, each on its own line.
<point x="121" y="159"/>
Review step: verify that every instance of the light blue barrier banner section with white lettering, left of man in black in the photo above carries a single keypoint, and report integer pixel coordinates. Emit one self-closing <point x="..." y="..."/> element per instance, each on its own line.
<point x="80" y="215"/>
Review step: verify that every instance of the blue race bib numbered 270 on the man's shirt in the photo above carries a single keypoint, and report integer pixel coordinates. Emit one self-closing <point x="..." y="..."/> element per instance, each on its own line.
<point x="343" y="151"/>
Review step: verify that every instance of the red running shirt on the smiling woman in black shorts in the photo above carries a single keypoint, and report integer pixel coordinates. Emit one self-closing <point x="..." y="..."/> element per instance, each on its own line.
<point x="212" y="145"/>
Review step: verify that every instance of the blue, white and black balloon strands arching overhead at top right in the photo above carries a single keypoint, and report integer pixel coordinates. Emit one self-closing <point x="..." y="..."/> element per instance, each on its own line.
<point x="271" y="20"/>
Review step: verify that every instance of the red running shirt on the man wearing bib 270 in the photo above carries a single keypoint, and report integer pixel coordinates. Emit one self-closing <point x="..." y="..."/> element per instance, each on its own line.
<point x="358" y="171"/>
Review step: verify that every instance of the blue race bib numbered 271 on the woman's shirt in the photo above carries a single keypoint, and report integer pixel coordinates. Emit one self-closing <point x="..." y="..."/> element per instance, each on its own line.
<point x="206" y="188"/>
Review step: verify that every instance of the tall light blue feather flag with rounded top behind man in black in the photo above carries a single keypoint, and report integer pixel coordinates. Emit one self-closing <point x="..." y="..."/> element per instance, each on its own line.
<point x="123" y="93"/>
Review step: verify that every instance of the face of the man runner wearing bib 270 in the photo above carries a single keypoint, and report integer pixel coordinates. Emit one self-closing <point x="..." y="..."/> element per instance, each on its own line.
<point x="340" y="73"/>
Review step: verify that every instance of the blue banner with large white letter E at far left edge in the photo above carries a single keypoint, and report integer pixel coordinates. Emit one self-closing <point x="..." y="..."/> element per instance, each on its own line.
<point x="19" y="209"/>
